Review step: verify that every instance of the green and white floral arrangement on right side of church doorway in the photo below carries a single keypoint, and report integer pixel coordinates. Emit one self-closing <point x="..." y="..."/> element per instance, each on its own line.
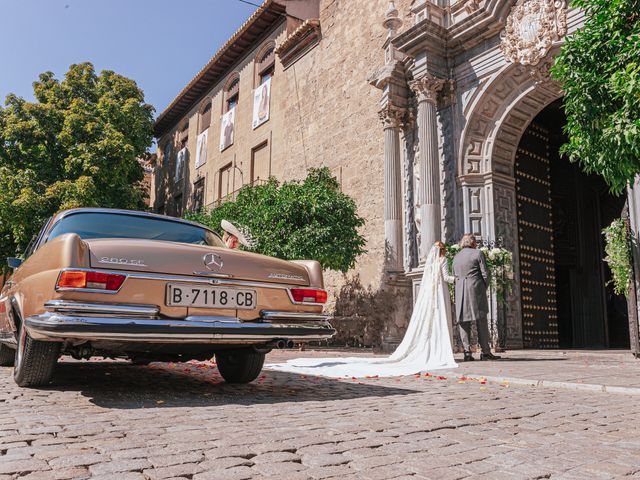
<point x="618" y="250"/>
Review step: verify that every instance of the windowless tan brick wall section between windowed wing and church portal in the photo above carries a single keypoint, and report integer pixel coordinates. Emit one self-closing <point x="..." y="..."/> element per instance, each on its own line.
<point x="331" y="114"/>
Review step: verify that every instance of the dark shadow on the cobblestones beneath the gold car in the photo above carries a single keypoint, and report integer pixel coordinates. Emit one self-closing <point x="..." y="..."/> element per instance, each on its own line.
<point x="125" y="386"/>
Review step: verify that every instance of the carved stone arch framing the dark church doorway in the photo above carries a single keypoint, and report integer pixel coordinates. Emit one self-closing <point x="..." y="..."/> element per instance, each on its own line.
<point x="497" y="117"/>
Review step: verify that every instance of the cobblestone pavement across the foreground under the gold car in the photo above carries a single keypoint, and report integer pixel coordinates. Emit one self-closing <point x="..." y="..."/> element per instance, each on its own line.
<point x="114" y="420"/>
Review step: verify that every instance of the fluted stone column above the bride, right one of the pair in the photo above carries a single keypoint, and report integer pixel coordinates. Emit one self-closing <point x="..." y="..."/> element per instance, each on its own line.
<point x="426" y="90"/>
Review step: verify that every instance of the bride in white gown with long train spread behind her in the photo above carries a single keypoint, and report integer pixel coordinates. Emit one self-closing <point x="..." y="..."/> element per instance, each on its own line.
<point x="425" y="346"/>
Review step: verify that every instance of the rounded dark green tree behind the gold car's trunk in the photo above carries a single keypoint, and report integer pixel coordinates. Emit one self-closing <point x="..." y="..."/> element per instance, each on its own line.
<point x="311" y="219"/>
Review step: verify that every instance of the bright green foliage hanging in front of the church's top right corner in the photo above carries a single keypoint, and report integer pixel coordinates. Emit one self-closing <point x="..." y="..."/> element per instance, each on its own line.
<point x="599" y="69"/>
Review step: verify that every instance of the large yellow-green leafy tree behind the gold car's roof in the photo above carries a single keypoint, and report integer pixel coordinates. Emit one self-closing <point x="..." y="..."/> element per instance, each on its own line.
<point x="76" y="145"/>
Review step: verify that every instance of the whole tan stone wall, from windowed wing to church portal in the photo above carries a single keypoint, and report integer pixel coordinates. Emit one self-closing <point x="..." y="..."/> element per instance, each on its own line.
<point x="323" y="113"/>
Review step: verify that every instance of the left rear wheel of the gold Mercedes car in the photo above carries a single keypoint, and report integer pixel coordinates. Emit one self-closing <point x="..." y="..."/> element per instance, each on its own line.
<point x="34" y="361"/>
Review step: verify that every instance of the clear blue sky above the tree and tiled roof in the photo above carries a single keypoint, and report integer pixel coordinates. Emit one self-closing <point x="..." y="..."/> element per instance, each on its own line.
<point x="161" y="44"/>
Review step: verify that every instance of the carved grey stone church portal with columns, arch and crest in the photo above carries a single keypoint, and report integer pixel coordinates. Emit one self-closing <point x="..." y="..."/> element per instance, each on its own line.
<point x="459" y="88"/>
